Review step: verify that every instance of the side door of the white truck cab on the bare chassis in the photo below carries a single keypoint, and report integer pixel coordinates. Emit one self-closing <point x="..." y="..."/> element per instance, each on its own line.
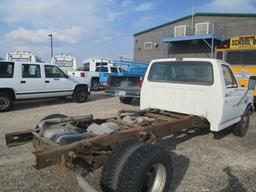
<point x="232" y="95"/>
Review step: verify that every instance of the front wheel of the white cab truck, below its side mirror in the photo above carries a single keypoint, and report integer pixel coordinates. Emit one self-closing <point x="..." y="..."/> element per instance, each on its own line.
<point x="242" y="126"/>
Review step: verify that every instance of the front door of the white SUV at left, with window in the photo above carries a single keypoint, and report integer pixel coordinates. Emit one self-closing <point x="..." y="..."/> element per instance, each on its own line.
<point x="56" y="81"/>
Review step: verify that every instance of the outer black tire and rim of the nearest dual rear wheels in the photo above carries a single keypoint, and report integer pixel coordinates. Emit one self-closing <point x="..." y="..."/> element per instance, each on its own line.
<point x="148" y="169"/>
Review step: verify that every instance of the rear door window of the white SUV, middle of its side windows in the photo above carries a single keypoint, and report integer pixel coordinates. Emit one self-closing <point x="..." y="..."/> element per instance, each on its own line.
<point x="30" y="71"/>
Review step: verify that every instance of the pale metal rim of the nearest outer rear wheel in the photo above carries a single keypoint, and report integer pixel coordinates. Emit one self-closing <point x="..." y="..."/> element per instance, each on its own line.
<point x="155" y="179"/>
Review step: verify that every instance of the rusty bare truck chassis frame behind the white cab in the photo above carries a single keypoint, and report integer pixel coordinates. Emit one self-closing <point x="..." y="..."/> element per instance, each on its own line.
<point x="90" y="154"/>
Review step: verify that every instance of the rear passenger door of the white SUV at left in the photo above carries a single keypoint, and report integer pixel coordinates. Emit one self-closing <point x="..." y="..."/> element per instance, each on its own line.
<point x="31" y="81"/>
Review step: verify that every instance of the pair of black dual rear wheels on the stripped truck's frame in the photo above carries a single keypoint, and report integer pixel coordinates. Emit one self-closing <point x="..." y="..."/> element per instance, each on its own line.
<point x="137" y="167"/>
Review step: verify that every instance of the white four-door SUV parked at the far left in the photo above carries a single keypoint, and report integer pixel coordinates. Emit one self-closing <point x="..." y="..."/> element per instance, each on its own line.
<point x="26" y="80"/>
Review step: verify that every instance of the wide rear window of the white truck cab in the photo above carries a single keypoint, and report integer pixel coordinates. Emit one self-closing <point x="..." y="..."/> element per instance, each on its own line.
<point x="188" y="72"/>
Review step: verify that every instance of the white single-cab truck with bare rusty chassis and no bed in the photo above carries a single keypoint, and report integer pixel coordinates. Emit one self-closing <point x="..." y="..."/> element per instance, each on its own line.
<point x="176" y="95"/>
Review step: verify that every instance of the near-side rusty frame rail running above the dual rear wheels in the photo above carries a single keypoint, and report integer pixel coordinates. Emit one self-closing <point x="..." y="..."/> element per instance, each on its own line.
<point x="86" y="148"/>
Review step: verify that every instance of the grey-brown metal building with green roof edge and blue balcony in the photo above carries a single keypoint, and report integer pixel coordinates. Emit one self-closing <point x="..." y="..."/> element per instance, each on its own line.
<point x="191" y="36"/>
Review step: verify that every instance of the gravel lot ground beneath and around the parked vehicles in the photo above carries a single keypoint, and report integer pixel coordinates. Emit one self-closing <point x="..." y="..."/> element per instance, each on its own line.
<point x="200" y="162"/>
